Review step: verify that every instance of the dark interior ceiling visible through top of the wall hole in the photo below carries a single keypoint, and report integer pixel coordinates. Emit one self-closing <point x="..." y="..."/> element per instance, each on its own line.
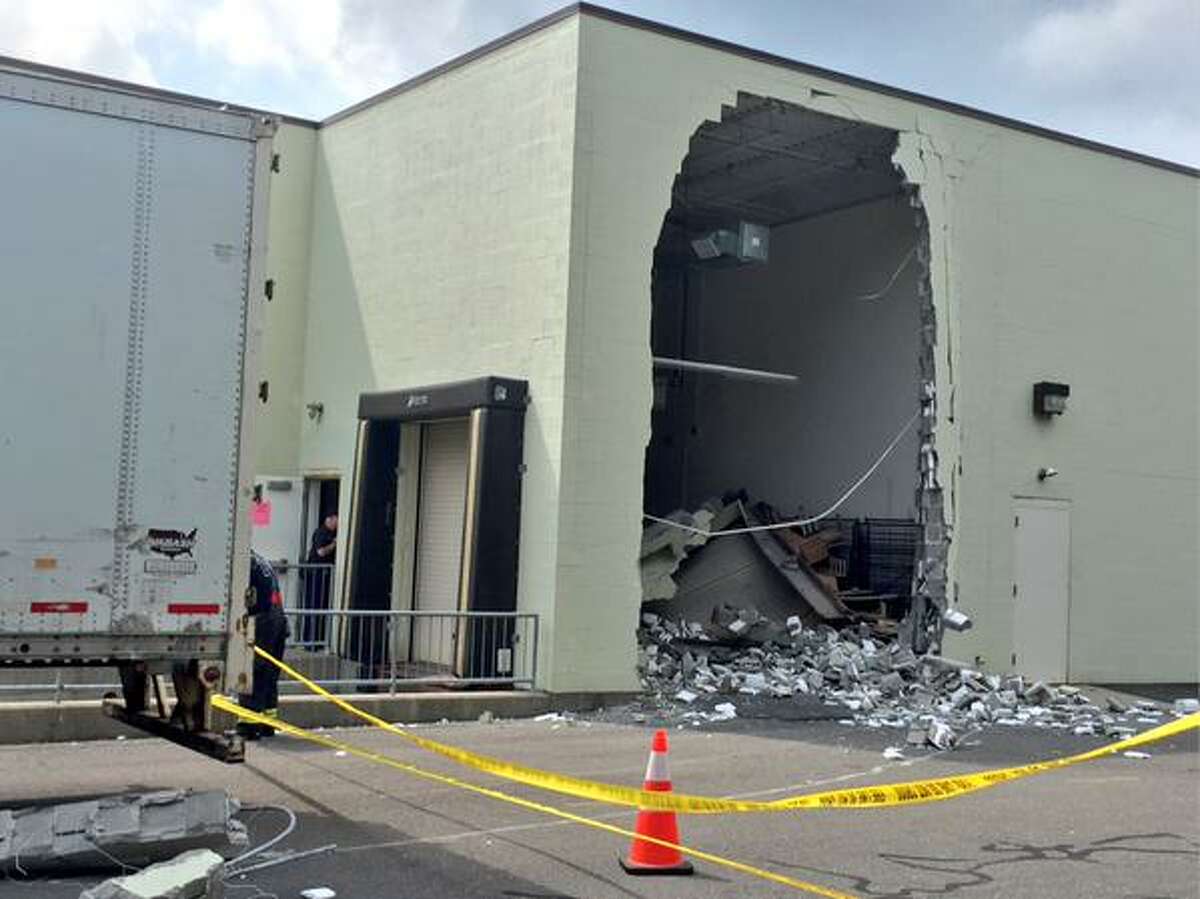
<point x="772" y="163"/>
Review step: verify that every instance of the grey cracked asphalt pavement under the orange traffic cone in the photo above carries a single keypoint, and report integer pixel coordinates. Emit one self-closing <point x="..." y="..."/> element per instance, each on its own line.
<point x="1115" y="828"/>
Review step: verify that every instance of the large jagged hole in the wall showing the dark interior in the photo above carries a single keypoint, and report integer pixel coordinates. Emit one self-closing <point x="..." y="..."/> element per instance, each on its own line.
<point x="794" y="341"/>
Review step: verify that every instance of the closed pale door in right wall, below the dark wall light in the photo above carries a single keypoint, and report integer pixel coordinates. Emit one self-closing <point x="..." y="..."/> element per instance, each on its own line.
<point x="1041" y="588"/>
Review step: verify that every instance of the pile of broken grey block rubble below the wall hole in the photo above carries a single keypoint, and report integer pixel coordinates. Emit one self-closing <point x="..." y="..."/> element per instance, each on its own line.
<point x="697" y="673"/>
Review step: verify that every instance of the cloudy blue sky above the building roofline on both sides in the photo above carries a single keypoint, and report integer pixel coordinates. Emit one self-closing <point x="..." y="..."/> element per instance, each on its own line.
<point x="1124" y="73"/>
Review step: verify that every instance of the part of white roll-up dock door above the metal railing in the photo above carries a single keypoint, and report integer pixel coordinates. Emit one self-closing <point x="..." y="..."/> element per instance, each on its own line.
<point x="442" y="514"/>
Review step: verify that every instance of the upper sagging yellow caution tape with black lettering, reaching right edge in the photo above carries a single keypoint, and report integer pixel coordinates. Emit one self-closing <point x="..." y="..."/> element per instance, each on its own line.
<point x="907" y="794"/>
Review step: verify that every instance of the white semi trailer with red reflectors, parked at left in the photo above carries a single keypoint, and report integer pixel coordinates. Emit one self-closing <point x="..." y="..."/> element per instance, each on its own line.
<point x="131" y="284"/>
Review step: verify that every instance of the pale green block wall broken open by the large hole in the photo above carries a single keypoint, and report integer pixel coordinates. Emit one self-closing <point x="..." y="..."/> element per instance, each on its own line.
<point x="1034" y="273"/>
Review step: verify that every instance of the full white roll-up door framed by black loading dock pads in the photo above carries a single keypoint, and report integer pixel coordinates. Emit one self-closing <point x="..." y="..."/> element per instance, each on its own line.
<point x="441" y="518"/>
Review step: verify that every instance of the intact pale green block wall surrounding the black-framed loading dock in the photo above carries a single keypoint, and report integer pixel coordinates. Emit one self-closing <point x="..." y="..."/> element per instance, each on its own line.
<point x="440" y="253"/>
